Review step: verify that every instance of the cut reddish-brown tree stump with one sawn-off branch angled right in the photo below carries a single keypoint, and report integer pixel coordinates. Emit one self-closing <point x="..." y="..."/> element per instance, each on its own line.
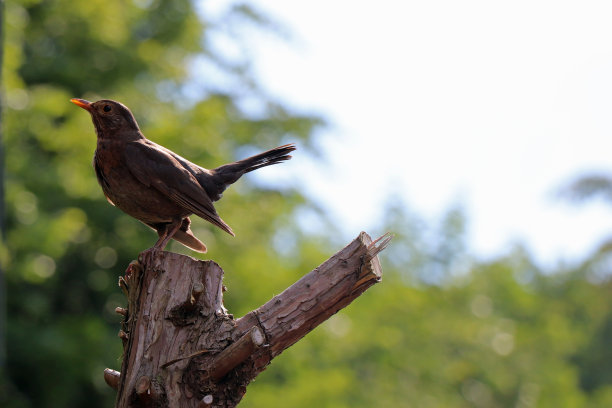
<point x="182" y="348"/>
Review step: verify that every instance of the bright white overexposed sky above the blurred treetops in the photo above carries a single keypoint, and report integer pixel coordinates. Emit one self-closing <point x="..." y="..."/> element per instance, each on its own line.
<point x="489" y="105"/>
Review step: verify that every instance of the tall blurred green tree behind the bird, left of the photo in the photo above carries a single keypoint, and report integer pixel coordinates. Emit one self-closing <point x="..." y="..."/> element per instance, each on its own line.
<point x="66" y="245"/>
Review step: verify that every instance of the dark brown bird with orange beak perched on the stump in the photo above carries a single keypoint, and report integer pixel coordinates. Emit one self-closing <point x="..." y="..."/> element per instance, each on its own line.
<point x="157" y="186"/>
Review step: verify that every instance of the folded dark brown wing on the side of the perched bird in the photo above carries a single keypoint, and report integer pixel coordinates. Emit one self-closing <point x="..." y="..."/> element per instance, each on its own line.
<point x="154" y="166"/>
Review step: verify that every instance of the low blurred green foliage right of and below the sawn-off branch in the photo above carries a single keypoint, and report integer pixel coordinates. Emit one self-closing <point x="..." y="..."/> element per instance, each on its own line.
<point x="502" y="333"/>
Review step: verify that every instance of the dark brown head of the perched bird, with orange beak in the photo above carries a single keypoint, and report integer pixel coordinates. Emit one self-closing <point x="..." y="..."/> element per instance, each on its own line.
<point x="111" y="118"/>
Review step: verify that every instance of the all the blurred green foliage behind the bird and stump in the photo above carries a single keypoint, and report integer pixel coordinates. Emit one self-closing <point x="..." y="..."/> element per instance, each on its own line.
<point x="442" y="329"/>
